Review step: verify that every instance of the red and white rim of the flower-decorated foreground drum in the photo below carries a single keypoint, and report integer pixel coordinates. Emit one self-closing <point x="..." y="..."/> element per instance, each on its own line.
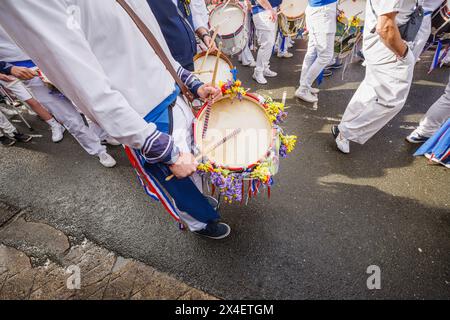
<point x="250" y="97"/>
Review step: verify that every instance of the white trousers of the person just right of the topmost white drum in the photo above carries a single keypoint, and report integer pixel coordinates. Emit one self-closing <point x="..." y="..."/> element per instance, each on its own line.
<point x="266" y="32"/>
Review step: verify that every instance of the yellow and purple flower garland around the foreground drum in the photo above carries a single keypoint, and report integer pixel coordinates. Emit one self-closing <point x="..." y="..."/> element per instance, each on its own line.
<point x="231" y="185"/>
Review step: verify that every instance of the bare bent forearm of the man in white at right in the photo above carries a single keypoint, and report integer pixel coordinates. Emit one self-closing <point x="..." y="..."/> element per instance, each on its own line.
<point x="390" y="35"/>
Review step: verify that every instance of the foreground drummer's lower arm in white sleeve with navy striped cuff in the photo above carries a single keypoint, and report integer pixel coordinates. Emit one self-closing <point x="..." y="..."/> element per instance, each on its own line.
<point x="64" y="54"/>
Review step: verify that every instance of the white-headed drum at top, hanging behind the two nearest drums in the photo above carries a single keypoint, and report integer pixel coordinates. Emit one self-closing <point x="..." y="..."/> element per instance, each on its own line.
<point x="230" y="19"/>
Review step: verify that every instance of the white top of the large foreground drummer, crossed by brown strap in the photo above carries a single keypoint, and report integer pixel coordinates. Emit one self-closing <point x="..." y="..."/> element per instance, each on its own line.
<point x="95" y="54"/>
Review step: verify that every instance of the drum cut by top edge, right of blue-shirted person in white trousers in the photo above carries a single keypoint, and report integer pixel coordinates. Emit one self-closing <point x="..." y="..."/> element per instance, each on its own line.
<point x="291" y="17"/>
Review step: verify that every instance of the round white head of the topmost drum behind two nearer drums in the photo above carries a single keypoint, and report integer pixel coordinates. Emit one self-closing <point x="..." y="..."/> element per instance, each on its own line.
<point x="228" y="18"/>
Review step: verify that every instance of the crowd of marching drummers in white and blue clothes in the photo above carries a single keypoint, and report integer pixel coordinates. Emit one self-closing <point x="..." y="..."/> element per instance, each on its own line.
<point x="124" y="71"/>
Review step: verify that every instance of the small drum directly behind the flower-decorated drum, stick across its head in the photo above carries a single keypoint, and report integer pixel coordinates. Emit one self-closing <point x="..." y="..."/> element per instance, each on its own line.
<point x="206" y="75"/>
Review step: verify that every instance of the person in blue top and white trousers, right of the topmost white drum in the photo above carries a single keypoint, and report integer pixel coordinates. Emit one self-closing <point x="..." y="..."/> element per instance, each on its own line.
<point x="266" y="23"/>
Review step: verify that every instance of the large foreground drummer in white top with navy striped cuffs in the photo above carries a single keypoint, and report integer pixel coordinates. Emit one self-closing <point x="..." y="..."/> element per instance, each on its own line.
<point x="100" y="84"/>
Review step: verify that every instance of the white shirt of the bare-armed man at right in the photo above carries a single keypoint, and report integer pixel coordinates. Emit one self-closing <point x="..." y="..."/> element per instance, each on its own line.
<point x="375" y="51"/>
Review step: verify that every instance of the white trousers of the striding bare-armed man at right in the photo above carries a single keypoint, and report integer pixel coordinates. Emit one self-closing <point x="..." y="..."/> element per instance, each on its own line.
<point x="379" y="98"/>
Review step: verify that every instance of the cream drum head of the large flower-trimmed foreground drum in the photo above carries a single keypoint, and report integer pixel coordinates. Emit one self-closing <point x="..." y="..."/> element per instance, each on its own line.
<point x="249" y="146"/>
